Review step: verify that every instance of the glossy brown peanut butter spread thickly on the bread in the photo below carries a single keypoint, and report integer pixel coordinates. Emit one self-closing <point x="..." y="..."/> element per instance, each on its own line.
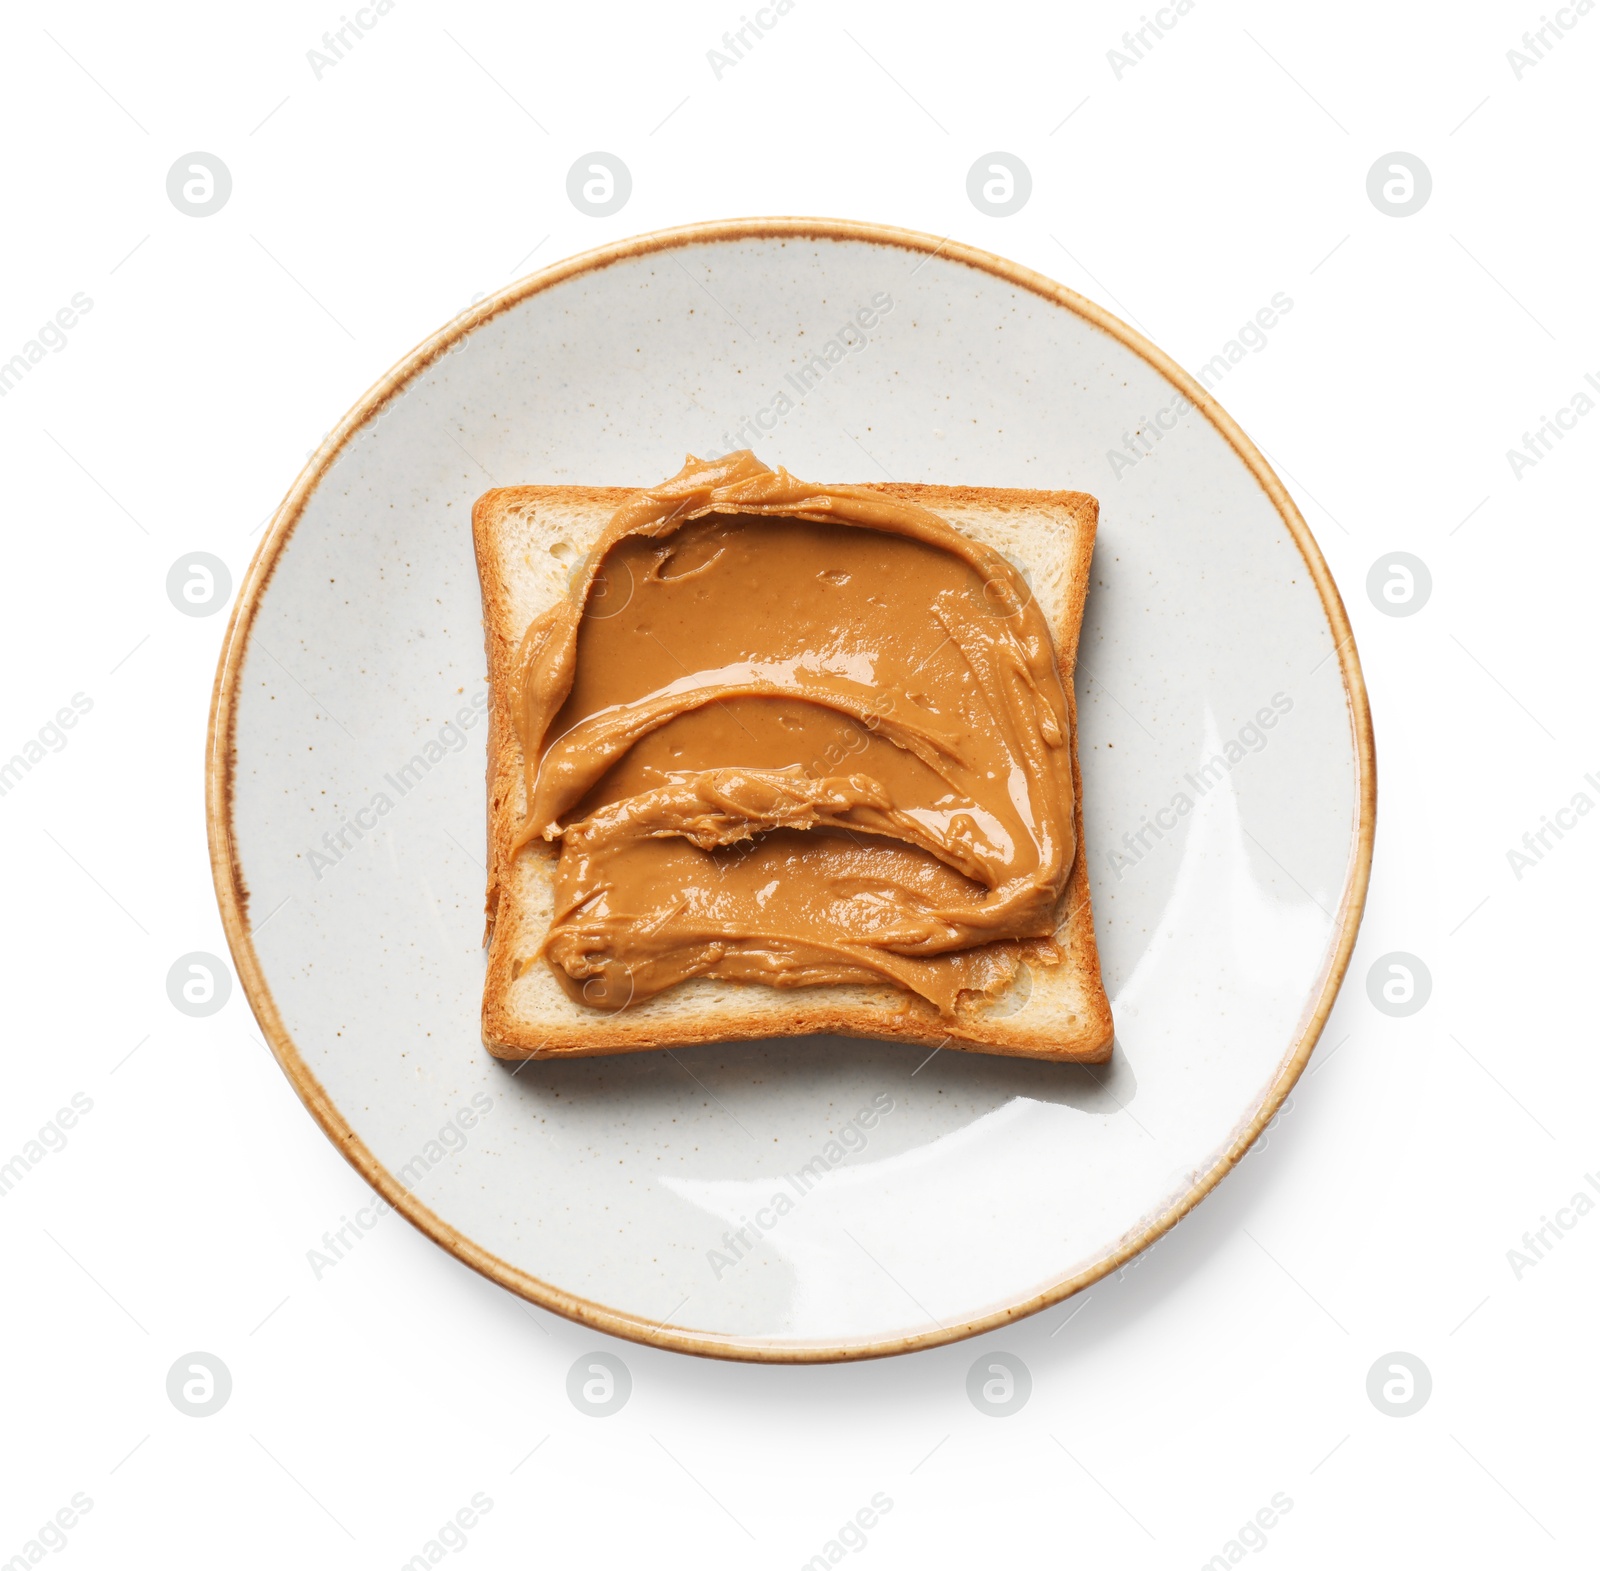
<point x="794" y="735"/>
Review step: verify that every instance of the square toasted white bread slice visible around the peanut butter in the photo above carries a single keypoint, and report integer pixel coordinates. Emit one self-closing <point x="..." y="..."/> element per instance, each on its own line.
<point x="530" y="543"/>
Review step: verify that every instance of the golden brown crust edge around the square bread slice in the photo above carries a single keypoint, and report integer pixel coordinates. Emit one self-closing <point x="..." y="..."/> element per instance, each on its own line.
<point x="510" y="1036"/>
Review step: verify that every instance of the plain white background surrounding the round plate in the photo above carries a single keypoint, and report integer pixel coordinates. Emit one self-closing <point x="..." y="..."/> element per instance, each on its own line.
<point x="377" y="202"/>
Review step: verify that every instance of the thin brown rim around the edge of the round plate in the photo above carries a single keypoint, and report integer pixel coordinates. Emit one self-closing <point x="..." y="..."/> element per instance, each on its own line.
<point x="233" y="897"/>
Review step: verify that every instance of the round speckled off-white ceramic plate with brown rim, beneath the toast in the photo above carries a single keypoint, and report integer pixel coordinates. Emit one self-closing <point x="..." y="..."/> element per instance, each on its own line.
<point x="1228" y="785"/>
